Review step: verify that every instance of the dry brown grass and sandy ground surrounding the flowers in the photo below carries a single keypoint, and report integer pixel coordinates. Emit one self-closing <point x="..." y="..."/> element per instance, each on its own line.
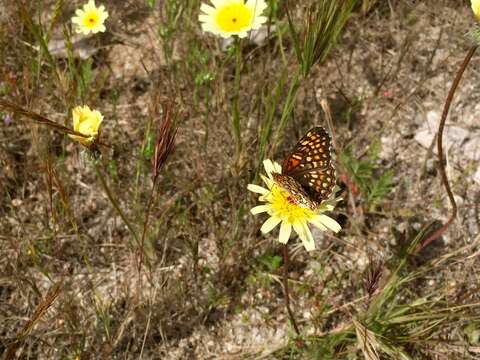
<point x="209" y="284"/>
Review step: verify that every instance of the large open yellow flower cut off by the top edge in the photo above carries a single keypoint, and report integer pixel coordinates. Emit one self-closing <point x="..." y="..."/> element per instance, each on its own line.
<point x="232" y="17"/>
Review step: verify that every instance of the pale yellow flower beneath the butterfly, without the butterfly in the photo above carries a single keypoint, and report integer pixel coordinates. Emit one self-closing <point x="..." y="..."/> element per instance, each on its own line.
<point x="290" y="214"/>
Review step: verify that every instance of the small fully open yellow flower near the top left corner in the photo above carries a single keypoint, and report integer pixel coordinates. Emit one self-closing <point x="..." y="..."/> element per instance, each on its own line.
<point x="90" y="18"/>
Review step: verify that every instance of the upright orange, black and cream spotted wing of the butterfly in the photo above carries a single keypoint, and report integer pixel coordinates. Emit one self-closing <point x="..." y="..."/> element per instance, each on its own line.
<point x="310" y="164"/>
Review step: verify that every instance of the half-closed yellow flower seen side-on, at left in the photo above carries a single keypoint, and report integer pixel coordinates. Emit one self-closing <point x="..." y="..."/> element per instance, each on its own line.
<point x="87" y="122"/>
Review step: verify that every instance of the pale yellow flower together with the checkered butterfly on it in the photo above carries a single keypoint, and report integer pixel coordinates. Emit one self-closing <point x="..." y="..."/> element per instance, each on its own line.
<point x="299" y="192"/>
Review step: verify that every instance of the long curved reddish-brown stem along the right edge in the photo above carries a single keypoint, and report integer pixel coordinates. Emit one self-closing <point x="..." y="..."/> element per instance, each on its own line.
<point x="441" y="165"/>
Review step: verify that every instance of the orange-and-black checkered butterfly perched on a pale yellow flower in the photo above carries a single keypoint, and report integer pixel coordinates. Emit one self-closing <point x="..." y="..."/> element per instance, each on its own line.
<point x="308" y="173"/>
